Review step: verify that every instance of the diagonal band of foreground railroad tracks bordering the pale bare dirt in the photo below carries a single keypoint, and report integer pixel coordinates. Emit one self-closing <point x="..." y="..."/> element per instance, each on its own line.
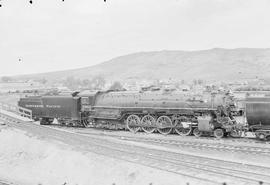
<point x="204" y="170"/>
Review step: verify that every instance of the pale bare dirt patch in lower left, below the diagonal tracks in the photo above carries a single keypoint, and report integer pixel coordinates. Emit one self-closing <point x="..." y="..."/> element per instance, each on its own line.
<point x="34" y="161"/>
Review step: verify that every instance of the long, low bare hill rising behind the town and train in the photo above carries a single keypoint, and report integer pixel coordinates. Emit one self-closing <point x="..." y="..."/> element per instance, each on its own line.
<point x="213" y="64"/>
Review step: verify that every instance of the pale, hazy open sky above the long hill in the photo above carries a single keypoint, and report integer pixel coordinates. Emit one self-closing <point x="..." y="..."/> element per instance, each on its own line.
<point x="52" y="35"/>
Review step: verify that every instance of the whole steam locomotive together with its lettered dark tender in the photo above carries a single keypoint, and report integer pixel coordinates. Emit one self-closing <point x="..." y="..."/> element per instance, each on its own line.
<point x="149" y="111"/>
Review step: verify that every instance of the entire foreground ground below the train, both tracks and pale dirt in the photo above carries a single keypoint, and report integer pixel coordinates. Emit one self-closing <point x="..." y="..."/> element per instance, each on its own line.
<point x="90" y="156"/>
